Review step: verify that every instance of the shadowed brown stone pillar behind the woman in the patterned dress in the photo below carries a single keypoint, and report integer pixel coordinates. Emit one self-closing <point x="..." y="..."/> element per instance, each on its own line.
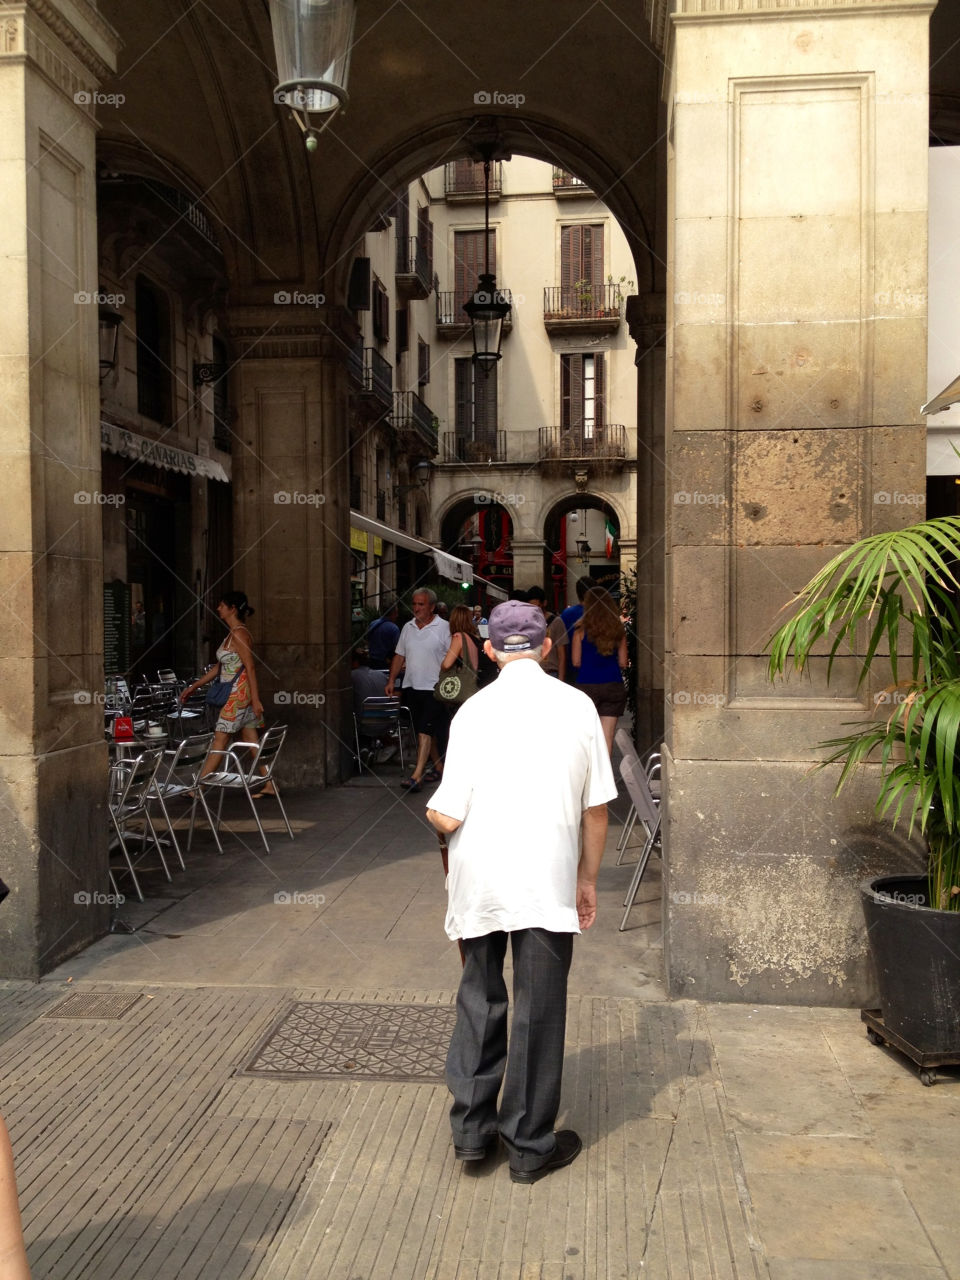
<point x="291" y="487"/>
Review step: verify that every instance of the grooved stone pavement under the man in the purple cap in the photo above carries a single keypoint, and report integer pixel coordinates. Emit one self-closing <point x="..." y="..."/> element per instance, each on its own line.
<point x="719" y="1141"/>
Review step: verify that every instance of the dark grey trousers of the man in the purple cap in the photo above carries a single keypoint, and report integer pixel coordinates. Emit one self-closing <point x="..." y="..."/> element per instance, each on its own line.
<point x="534" y="1066"/>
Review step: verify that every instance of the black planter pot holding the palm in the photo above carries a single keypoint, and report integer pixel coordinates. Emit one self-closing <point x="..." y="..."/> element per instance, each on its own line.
<point x="917" y="954"/>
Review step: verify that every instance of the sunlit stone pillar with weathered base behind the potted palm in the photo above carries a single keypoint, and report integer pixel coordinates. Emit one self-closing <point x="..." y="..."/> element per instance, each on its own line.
<point x="797" y="349"/>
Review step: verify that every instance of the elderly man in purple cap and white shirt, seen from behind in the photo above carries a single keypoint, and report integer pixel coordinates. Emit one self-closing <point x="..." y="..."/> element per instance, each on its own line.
<point x="527" y="784"/>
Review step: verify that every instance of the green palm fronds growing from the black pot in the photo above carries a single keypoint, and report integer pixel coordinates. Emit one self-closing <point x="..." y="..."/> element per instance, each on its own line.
<point x="894" y="595"/>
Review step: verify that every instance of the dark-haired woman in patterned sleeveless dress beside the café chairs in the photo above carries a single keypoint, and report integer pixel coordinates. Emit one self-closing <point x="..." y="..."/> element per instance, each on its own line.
<point x="232" y="685"/>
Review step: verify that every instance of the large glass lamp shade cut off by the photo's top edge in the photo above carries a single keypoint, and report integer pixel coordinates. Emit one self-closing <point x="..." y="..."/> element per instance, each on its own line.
<point x="313" y="40"/>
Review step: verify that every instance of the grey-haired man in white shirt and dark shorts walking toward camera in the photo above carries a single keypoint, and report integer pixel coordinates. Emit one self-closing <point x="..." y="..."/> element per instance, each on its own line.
<point x="422" y="648"/>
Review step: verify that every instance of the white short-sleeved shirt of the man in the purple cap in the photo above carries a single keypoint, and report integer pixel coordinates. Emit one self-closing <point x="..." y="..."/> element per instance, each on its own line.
<point x="527" y="756"/>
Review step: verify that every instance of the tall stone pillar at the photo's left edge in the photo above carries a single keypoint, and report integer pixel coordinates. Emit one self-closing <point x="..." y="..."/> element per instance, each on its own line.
<point x="54" y="765"/>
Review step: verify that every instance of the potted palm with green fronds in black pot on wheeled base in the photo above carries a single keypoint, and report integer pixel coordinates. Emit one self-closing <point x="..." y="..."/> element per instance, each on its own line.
<point x="893" y="601"/>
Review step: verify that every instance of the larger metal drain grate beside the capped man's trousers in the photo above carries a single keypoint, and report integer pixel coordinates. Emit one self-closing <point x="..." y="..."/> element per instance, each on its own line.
<point x="327" y="1041"/>
